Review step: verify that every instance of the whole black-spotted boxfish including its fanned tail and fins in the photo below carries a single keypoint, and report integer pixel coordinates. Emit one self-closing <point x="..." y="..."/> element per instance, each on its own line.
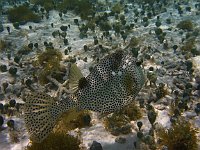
<point x="112" y="84"/>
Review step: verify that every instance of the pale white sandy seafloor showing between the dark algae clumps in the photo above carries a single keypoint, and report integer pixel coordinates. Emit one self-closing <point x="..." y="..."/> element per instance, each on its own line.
<point x="43" y="32"/>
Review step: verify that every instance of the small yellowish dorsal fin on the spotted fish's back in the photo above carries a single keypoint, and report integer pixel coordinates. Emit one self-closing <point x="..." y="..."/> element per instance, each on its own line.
<point x="74" y="76"/>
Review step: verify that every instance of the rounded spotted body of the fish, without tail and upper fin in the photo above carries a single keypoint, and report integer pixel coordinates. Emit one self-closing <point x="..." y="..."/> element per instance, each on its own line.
<point x="112" y="84"/>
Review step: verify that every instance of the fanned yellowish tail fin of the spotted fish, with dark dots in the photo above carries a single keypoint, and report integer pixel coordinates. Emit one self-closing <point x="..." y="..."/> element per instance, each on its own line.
<point x="41" y="113"/>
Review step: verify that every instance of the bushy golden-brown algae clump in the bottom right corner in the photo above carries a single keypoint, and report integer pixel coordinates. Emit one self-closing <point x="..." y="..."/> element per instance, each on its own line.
<point x="181" y="135"/>
